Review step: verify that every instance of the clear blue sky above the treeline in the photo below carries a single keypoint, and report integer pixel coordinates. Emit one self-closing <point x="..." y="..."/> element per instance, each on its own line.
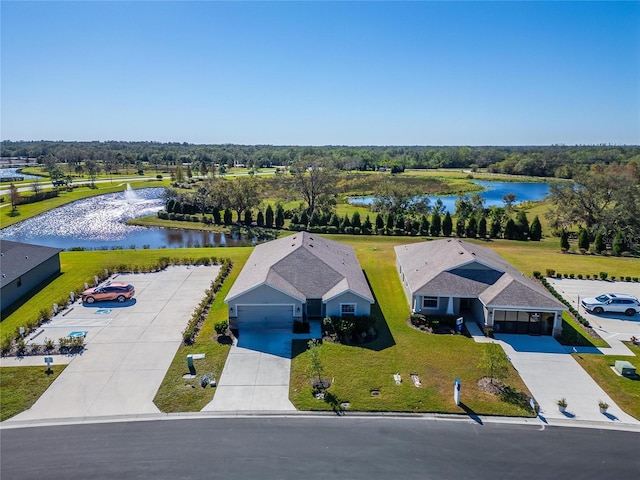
<point x="320" y="73"/>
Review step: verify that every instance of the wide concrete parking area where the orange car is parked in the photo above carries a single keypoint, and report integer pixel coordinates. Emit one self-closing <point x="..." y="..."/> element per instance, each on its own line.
<point x="129" y="349"/>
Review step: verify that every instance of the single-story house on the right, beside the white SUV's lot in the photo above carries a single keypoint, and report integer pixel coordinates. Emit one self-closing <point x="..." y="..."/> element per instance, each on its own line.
<point x="455" y="277"/>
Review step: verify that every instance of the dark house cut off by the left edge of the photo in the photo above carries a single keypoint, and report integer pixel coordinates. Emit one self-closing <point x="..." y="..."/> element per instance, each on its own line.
<point x="24" y="267"/>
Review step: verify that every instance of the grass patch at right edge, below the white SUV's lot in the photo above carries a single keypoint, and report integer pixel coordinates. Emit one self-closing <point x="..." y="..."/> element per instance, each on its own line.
<point x="624" y="391"/>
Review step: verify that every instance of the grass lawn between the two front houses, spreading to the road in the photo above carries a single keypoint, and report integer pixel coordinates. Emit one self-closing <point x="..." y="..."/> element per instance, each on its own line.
<point x="437" y="359"/>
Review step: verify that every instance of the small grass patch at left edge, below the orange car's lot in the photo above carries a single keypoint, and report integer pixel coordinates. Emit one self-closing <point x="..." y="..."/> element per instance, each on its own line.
<point x="20" y="387"/>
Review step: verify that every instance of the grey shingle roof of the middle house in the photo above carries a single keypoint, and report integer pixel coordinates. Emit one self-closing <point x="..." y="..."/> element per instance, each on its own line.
<point x="304" y="266"/>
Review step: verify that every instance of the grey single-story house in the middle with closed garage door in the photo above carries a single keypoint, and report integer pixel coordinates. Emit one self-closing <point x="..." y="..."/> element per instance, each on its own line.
<point x="302" y="277"/>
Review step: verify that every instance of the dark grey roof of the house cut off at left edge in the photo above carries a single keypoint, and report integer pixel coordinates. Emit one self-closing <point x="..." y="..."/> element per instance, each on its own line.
<point x="18" y="258"/>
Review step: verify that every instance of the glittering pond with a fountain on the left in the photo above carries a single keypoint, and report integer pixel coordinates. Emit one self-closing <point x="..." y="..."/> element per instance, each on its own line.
<point x="99" y="223"/>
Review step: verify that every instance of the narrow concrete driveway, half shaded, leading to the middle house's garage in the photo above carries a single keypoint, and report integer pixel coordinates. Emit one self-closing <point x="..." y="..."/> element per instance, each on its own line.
<point x="256" y="374"/>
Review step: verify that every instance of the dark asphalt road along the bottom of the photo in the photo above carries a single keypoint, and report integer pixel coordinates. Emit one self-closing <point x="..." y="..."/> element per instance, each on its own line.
<point x="317" y="447"/>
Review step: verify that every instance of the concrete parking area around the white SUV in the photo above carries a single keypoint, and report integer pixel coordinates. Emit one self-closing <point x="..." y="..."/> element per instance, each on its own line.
<point x="614" y="328"/>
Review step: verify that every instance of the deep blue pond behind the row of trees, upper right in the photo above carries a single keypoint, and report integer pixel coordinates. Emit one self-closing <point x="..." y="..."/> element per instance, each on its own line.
<point x="493" y="193"/>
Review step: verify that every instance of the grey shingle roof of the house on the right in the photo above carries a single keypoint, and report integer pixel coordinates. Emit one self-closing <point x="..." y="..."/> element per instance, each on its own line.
<point x="452" y="267"/>
